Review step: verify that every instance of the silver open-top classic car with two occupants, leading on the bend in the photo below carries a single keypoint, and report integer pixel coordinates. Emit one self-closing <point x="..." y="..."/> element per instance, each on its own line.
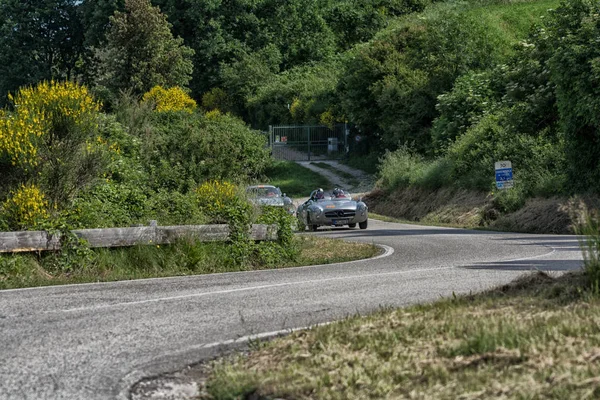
<point x="335" y="208"/>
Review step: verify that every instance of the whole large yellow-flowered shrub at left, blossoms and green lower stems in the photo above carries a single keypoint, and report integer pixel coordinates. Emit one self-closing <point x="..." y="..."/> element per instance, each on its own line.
<point x="46" y="138"/>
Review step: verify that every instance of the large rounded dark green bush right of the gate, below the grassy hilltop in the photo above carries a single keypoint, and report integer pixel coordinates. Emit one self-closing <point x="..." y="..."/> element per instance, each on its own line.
<point x="390" y="86"/>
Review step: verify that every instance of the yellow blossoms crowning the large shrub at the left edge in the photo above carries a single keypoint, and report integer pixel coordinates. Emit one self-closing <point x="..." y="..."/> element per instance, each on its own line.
<point x="43" y="110"/>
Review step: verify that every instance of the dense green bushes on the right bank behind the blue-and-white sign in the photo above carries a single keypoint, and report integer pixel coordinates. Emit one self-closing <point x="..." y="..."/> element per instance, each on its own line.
<point x="539" y="109"/>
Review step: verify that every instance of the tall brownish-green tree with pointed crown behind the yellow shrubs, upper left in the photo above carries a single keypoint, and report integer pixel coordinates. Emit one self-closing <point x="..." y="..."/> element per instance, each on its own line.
<point x="141" y="51"/>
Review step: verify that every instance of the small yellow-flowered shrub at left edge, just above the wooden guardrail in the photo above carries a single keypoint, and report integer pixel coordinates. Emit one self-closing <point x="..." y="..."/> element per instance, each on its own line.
<point x="25" y="207"/>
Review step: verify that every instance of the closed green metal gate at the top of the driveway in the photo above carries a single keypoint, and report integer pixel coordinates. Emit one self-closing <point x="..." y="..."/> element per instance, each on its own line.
<point x="308" y="142"/>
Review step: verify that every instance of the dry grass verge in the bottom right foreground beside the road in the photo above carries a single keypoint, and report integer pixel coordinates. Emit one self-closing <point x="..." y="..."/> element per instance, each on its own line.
<point x="538" y="337"/>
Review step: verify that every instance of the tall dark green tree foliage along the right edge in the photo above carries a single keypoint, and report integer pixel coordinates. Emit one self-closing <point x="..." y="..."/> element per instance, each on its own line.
<point x="574" y="65"/>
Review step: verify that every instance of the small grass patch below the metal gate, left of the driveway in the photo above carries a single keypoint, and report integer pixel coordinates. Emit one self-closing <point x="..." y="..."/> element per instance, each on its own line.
<point x="294" y="179"/>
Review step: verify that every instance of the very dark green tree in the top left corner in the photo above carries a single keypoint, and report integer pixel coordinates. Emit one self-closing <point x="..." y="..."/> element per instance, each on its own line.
<point x="41" y="39"/>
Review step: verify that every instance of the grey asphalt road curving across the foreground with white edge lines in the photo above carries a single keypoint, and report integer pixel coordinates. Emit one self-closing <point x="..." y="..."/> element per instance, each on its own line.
<point x="93" y="341"/>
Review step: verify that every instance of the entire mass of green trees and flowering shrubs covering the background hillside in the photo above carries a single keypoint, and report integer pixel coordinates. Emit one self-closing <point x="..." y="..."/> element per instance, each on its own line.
<point x="437" y="90"/>
